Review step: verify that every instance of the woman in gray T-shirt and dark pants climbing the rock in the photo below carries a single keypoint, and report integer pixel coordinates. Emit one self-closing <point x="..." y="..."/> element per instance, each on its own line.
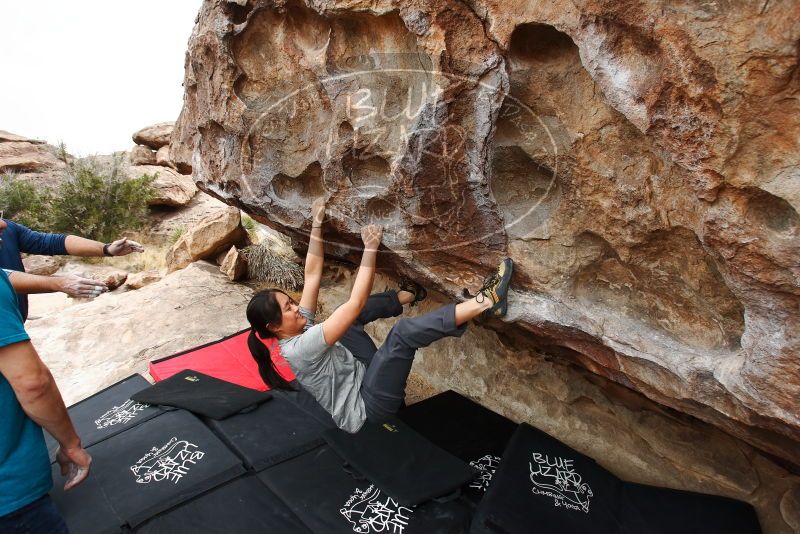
<point x="336" y="360"/>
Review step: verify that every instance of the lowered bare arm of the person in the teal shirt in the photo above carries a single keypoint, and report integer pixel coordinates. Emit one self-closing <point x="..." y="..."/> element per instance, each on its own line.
<point x="38" y="394"/>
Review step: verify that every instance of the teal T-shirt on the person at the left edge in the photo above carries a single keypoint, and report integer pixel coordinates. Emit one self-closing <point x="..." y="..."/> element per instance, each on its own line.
<point x="24" y="463"/>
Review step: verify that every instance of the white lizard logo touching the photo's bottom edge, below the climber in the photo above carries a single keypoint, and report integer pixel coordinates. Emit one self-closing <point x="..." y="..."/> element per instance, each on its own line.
<point x="368" y="511"/>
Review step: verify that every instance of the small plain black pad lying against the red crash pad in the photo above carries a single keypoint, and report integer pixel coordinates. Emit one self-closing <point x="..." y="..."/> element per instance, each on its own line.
<point x="202" y="394"/>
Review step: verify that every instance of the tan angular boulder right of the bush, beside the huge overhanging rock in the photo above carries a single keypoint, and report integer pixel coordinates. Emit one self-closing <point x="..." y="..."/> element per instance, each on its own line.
<point x="207" y="238"/>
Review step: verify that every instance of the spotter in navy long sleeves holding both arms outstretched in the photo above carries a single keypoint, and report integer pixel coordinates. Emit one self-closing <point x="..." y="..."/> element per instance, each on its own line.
<point x="19" y="238"/>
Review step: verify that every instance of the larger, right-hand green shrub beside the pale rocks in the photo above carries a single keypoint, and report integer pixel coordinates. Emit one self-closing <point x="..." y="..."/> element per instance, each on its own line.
<point x="100" y="203"/>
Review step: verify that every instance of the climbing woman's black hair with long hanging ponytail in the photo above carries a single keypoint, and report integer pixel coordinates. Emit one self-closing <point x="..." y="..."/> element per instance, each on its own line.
<point x="262" y="310"/>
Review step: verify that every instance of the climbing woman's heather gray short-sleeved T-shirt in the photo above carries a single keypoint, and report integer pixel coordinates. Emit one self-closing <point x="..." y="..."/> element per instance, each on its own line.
<point x="329" y="372"/>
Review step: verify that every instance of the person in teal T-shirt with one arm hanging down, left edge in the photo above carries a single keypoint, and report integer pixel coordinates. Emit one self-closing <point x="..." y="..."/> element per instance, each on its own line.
<point x="30" y="401"/>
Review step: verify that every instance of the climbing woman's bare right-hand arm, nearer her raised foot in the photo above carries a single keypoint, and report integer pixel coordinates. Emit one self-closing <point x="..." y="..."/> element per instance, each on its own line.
<point x="343" y="317"/>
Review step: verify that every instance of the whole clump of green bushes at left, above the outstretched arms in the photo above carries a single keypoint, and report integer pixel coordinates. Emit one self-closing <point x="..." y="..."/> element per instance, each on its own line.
<point x="92" y="201"/>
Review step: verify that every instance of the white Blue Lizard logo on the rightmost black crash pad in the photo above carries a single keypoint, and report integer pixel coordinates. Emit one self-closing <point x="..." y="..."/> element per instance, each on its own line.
<point x="556" y="477"/>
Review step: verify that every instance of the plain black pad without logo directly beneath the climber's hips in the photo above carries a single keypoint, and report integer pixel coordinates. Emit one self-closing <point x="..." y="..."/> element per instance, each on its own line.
<point x="400" y="461"/>
